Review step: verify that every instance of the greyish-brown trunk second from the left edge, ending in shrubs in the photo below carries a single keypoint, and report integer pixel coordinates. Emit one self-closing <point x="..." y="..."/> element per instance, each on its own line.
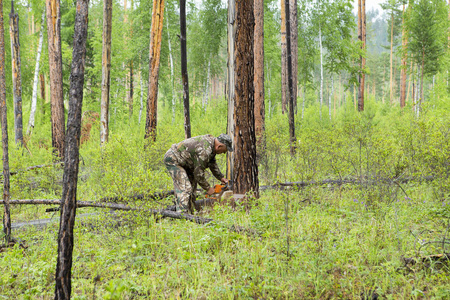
<point x="16" y="74"/>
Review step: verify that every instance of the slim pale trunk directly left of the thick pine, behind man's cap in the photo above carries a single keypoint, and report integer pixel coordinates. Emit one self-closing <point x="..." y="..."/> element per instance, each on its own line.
<point x="231" y="39"/>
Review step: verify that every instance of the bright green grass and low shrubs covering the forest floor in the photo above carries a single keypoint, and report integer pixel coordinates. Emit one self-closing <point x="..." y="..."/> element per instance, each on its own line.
<point x="377" y="227"/>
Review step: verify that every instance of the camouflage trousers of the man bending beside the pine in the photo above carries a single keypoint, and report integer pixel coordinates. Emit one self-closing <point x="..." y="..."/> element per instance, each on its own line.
<point x="183" y="182"/>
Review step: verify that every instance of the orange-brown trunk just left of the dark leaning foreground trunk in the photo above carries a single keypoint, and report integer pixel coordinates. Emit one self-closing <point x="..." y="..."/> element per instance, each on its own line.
<point x="56" y="84"/>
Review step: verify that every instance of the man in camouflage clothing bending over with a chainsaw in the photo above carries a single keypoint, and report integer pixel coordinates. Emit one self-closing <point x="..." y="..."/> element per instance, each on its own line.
<point x="186" y="163"/>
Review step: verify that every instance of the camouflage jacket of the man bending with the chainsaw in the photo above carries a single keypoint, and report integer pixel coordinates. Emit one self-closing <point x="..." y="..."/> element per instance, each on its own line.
<point x="197" y="154"/>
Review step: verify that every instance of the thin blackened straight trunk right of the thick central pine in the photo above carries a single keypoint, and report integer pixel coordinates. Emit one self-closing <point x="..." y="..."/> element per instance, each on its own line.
<point x="292" y="137"/>
